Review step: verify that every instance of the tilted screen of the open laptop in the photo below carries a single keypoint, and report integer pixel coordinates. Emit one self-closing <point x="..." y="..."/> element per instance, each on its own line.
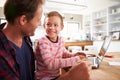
<point x="105" y="46"/>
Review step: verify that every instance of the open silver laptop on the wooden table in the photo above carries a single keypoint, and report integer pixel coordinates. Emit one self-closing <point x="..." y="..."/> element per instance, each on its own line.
<point x="96" y="60"/>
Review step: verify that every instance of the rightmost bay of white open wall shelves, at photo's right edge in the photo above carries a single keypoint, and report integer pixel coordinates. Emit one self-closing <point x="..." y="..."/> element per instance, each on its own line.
<point x="114" y="21"/>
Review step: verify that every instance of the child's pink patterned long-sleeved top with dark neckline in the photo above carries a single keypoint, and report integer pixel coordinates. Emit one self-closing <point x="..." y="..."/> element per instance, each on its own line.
<point x="49" y="58"/>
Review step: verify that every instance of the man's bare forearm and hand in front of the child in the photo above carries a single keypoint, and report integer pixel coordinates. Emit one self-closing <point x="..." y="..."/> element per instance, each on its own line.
<point x="80" y="71"/>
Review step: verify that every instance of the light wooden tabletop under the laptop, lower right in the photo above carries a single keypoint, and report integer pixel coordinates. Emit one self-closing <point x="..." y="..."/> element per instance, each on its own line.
<point x="106" y="71"/>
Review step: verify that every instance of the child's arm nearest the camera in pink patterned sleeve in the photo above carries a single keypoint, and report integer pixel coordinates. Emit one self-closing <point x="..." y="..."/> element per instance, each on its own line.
<point x="55" y="62"/>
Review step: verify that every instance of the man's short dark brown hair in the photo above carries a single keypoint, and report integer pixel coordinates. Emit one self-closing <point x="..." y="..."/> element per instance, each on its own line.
<point x="16" y="8"/>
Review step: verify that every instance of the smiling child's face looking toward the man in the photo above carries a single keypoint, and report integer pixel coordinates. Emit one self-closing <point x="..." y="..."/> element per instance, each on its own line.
<point x="53" y="26"/>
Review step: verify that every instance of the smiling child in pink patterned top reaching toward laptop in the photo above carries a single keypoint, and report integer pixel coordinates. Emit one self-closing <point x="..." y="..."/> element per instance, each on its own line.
<point x="51" y="54"/>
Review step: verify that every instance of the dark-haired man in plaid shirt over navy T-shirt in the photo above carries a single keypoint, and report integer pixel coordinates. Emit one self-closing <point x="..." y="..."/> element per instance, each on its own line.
<point x="16" y="53"/>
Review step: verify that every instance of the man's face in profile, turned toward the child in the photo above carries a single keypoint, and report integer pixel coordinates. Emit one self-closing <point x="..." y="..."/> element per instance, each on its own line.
<point x="31" y="26"/>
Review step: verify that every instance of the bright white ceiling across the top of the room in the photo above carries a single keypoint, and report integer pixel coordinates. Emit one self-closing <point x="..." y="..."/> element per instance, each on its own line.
<point x="75" y="6"/>
